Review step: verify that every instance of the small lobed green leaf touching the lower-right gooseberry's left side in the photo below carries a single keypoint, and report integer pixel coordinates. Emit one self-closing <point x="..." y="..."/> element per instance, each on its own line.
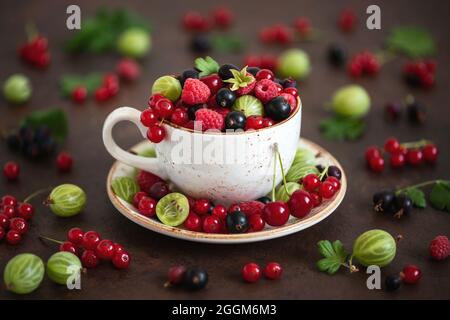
<point x="334" y="256"/>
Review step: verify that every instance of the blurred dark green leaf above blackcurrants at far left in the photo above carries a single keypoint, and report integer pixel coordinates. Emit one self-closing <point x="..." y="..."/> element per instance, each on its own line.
<point x="54" y="119"/>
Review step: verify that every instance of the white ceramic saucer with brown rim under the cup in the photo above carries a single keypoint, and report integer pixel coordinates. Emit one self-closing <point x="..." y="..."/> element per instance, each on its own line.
<point x="293" y="225"/>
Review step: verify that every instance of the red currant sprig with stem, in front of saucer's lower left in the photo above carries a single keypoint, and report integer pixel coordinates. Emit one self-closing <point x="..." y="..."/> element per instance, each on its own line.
<point x="92" y="249"/>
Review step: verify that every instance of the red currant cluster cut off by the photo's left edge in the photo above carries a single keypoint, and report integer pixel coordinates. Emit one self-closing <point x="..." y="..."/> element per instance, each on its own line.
<point x="14" y="217"/>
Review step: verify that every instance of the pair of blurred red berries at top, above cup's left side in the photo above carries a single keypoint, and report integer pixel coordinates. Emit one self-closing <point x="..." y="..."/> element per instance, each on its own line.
<point x="221" y="18"/>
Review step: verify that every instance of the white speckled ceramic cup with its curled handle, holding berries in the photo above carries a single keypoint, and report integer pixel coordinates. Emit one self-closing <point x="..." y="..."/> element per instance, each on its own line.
<point x="243" y="172"/>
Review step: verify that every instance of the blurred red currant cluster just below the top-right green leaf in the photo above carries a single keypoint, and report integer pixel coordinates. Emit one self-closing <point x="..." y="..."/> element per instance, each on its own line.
<point x="420" y="73"/>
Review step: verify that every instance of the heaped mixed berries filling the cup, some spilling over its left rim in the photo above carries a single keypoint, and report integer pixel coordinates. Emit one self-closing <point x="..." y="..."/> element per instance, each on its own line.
<point x="224" y="99"/>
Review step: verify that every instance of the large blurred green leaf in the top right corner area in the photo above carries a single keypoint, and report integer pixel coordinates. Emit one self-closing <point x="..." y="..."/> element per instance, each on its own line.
<point x="412" y="41"/>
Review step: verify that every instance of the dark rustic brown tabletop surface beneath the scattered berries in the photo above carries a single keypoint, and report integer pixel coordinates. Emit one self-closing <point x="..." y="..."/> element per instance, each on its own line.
<point x="152" y="253"/>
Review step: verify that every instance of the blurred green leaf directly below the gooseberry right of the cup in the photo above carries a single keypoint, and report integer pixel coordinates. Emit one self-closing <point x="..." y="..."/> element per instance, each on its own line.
<point x="341" y="128"/>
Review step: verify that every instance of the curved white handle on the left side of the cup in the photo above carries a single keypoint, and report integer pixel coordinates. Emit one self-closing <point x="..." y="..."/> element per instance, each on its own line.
<point x="143" y="163"/>
